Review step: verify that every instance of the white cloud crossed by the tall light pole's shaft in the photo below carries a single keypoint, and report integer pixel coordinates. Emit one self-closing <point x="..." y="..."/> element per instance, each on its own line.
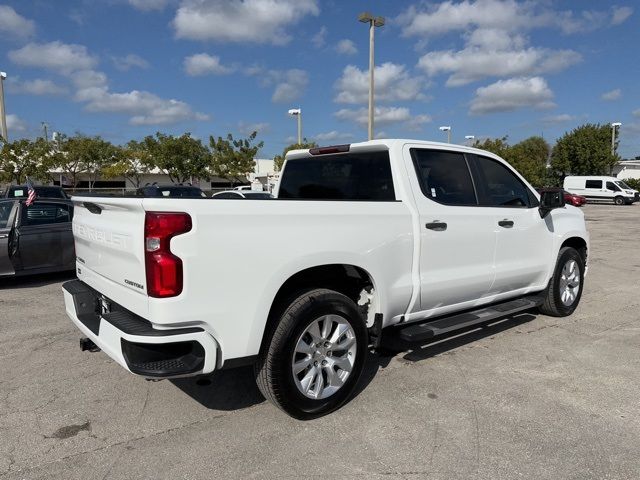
<point x="392" y="83"/>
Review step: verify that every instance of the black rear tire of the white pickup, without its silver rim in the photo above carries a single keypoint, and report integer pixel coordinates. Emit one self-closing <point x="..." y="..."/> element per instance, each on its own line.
<point x="273" y="369"/>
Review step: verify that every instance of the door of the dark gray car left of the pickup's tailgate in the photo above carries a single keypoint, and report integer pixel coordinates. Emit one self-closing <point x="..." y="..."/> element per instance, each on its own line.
<point x="40" y="234"/>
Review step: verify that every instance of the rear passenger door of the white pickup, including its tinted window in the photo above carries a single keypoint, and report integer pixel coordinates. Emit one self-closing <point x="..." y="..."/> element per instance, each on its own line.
<point x="457" y="237"/>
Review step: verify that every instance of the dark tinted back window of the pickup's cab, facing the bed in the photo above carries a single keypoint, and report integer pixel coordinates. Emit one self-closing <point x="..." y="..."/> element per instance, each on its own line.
<point x="351" y="176"/>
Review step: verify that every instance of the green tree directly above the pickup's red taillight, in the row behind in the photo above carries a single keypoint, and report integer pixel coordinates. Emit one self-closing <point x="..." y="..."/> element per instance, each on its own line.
<point x="181" y="158"/>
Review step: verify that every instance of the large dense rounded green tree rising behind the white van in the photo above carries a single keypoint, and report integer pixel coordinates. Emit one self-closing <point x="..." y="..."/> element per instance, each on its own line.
<point x="584" y="151"/>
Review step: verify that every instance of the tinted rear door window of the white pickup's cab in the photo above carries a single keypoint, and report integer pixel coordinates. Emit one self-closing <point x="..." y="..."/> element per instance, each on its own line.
<point x="444" y="176"/>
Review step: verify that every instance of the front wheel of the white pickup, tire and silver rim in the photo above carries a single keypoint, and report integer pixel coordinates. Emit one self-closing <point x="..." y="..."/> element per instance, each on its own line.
<point x="565" y="288"/>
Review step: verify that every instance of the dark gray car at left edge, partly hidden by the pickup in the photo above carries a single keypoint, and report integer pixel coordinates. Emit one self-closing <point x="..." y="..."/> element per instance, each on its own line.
<point x="37" y="238"/>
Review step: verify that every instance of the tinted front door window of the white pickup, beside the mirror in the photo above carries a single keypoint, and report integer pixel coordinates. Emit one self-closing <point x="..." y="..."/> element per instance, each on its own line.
<point x="500" y="187"/>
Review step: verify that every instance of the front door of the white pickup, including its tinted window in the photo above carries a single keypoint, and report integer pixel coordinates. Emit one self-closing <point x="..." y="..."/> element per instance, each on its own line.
<point x="524" y="240"/>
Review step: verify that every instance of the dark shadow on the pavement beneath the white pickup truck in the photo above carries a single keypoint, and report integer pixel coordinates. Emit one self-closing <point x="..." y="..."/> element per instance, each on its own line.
<point x="235" y="389"/>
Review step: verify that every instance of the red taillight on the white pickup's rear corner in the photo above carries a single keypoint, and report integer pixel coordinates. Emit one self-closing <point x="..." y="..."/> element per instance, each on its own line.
<point x="164" y="269"/>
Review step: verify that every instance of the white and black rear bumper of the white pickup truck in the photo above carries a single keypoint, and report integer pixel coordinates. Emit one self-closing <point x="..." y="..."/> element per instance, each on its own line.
<point x="134" y="343"/>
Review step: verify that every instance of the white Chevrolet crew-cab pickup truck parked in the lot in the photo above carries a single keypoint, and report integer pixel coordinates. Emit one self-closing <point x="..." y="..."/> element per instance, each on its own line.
<point x="396" y="239"/>
